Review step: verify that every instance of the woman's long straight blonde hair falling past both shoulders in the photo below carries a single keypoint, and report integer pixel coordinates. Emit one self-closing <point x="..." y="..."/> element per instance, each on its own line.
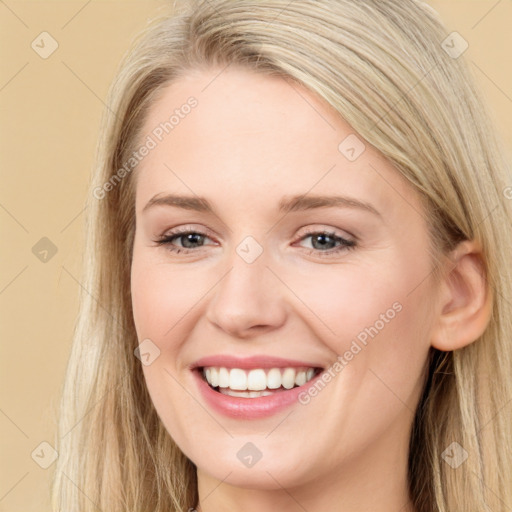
<point x="382" y="66"/>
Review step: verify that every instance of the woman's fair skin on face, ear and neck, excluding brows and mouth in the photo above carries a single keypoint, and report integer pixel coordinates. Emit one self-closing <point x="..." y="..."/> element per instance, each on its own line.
<point x="251" y="141"/>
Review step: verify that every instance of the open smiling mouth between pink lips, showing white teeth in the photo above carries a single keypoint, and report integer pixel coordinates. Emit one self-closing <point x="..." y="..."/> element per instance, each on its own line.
<point x="256" y="382"/>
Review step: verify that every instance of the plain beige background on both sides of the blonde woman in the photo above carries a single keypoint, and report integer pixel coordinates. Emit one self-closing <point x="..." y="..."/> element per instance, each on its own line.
<point x="51" y="110"/>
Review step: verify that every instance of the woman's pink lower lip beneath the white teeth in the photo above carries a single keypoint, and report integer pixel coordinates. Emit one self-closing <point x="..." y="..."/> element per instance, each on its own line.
<point x="250" y="408"/>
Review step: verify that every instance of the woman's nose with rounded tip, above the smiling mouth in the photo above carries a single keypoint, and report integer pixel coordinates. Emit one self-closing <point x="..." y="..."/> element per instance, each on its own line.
<point x="248" y="300"/>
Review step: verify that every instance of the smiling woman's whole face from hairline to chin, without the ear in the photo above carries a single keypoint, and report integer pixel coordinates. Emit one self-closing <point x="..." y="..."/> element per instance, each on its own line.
<point x="272" y="275"/>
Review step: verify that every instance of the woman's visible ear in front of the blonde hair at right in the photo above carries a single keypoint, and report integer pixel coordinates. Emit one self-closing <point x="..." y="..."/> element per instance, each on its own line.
<point x="465" y="302"/>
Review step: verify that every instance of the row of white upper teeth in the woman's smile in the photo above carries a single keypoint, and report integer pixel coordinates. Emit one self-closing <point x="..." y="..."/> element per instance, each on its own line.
<point x="257" y="379"/>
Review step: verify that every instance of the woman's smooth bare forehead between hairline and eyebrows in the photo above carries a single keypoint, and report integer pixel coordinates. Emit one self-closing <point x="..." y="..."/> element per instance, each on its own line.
<point x="254" y="138"/>
